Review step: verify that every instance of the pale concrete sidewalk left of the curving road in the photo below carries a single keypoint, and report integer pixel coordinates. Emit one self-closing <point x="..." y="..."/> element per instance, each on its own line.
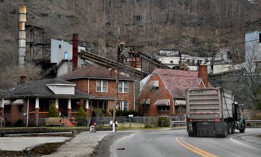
<point x="80" y="146"/>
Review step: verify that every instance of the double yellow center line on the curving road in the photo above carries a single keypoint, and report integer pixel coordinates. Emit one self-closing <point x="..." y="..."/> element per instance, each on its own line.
<point x="194" y="149"/>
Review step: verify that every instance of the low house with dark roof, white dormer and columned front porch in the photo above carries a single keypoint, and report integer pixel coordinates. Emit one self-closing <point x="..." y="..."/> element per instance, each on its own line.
<point x="30" y="101"/>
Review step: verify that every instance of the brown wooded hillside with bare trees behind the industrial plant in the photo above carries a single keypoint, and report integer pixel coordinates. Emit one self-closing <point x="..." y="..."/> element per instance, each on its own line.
<point x="149" y="25"/>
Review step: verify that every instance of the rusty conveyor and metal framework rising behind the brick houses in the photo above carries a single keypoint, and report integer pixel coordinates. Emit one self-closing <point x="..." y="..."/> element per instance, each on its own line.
<point x="134" y="63"/>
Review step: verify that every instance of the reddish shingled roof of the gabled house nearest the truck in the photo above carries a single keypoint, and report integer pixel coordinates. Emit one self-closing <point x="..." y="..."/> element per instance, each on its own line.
<point x="177" y="81"/>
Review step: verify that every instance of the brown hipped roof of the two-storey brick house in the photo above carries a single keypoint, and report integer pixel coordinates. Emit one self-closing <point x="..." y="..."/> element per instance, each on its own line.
<point x="93" y="72"/>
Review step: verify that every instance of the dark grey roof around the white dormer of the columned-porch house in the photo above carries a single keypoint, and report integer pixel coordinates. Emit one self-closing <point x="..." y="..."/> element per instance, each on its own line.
<point x="39" y="88"/>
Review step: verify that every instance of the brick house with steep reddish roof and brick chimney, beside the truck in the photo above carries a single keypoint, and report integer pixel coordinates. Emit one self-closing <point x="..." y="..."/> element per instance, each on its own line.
<point x="163" y="93"/>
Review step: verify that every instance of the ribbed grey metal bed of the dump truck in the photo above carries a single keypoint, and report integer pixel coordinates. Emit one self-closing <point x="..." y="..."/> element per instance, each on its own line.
<point x="208" y="103"/>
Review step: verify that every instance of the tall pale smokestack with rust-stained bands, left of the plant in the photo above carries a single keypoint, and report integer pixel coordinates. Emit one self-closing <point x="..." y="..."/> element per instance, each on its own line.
<point x="22" y="34"/>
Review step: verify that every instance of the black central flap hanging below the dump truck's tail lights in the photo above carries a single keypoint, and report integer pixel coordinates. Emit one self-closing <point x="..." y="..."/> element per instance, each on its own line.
<point x="205" y="129"/>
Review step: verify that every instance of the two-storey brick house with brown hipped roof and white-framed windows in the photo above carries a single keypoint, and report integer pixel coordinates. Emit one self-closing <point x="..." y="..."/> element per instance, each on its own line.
<point x="100" y="82"/>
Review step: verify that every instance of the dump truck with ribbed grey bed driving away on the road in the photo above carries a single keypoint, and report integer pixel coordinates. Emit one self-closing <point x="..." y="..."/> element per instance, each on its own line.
<point x="212" y="112"/>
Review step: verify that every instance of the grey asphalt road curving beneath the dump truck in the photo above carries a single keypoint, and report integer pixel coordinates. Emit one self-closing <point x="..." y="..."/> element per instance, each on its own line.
<point x="177" y="143"/>
